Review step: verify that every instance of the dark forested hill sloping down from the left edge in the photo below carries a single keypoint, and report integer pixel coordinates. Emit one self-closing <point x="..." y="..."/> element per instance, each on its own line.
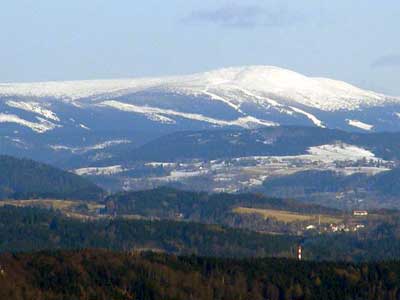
<point x="27" y="179"/>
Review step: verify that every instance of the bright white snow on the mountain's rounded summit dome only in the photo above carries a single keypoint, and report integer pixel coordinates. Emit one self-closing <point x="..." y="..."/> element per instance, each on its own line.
<point x="282" y="85"/>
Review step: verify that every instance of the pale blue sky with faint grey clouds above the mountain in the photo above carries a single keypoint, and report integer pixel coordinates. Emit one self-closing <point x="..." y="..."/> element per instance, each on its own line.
<point x="353" y="40"/>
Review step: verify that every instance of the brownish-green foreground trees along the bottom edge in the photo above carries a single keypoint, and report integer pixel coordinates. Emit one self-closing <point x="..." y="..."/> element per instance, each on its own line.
<point x="95" y="274"/>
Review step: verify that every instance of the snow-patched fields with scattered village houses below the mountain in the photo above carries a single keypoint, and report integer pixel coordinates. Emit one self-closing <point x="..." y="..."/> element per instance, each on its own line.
<point x="243" y="173"/>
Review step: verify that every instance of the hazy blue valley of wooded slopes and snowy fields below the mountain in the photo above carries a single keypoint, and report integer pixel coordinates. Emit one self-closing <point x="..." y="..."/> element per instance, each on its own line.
<point x="260" y="160"/>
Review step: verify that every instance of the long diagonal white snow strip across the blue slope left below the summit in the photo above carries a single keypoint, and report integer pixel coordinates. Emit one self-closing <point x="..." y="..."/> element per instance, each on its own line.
<point x="158" y="114"/>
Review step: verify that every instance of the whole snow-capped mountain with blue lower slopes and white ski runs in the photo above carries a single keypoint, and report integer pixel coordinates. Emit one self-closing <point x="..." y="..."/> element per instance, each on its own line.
<point x="59" y="115"/>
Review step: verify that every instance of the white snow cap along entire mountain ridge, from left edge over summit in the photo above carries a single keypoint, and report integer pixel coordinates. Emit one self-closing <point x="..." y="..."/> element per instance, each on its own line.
<point x="226" y="85"/>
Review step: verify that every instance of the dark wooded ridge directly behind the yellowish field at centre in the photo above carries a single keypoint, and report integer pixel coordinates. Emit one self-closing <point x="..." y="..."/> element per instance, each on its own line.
<point x="165" y="202"/>
